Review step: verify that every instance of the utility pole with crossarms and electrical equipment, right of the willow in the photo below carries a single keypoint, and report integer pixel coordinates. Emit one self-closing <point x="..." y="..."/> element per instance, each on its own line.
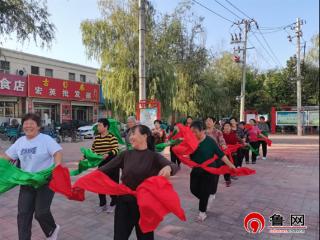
<point x="236" y="40"/>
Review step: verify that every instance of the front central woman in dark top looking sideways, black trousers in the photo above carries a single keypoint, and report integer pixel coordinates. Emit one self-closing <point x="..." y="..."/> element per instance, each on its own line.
<point x="137" y="165"/>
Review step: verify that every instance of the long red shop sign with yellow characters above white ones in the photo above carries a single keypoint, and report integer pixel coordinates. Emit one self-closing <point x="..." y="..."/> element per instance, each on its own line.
<point x="47" y="87"/>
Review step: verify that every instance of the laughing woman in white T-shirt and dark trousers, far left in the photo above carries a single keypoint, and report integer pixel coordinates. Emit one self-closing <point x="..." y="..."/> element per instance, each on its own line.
<point x="36" y="152"/>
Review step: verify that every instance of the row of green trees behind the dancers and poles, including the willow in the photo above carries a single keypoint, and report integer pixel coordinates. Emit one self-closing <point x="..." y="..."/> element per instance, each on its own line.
<point x="179" y="71"/>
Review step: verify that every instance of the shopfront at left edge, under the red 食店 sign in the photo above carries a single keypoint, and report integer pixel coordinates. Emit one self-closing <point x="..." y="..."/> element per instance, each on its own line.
<point x="13" y="91"/>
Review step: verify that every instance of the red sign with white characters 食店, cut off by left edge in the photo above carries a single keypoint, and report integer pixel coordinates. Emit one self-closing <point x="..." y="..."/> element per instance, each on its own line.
<point x="13" y="85"/>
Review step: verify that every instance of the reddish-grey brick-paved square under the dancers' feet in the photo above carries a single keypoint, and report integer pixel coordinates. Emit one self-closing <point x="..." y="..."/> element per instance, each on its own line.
<point x="287" y="183"/>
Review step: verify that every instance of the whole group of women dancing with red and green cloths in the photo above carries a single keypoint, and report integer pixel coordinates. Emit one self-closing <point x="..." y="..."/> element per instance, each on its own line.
<point x="36" y="152"/>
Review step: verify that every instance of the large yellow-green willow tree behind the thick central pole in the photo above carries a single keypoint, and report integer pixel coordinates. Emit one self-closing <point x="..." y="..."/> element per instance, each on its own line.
<point x="174" y="58"/>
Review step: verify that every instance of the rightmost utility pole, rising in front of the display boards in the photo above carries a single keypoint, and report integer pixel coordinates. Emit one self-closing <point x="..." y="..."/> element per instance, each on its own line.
<point x="299" y="114"/>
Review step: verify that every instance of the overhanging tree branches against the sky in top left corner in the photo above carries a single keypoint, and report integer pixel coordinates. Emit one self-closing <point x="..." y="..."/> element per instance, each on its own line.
<point x="27" y="19"/>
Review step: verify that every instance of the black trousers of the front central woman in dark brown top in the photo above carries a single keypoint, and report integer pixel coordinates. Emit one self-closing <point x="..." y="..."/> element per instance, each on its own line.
<point x="126" y="218"/>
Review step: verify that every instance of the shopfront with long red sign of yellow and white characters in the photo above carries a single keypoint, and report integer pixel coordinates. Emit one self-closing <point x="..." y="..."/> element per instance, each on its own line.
<point x="59" y="100"/>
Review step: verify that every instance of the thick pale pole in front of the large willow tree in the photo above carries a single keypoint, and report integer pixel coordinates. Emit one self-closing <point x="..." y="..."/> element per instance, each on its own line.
<point x="142" y="30"/>
